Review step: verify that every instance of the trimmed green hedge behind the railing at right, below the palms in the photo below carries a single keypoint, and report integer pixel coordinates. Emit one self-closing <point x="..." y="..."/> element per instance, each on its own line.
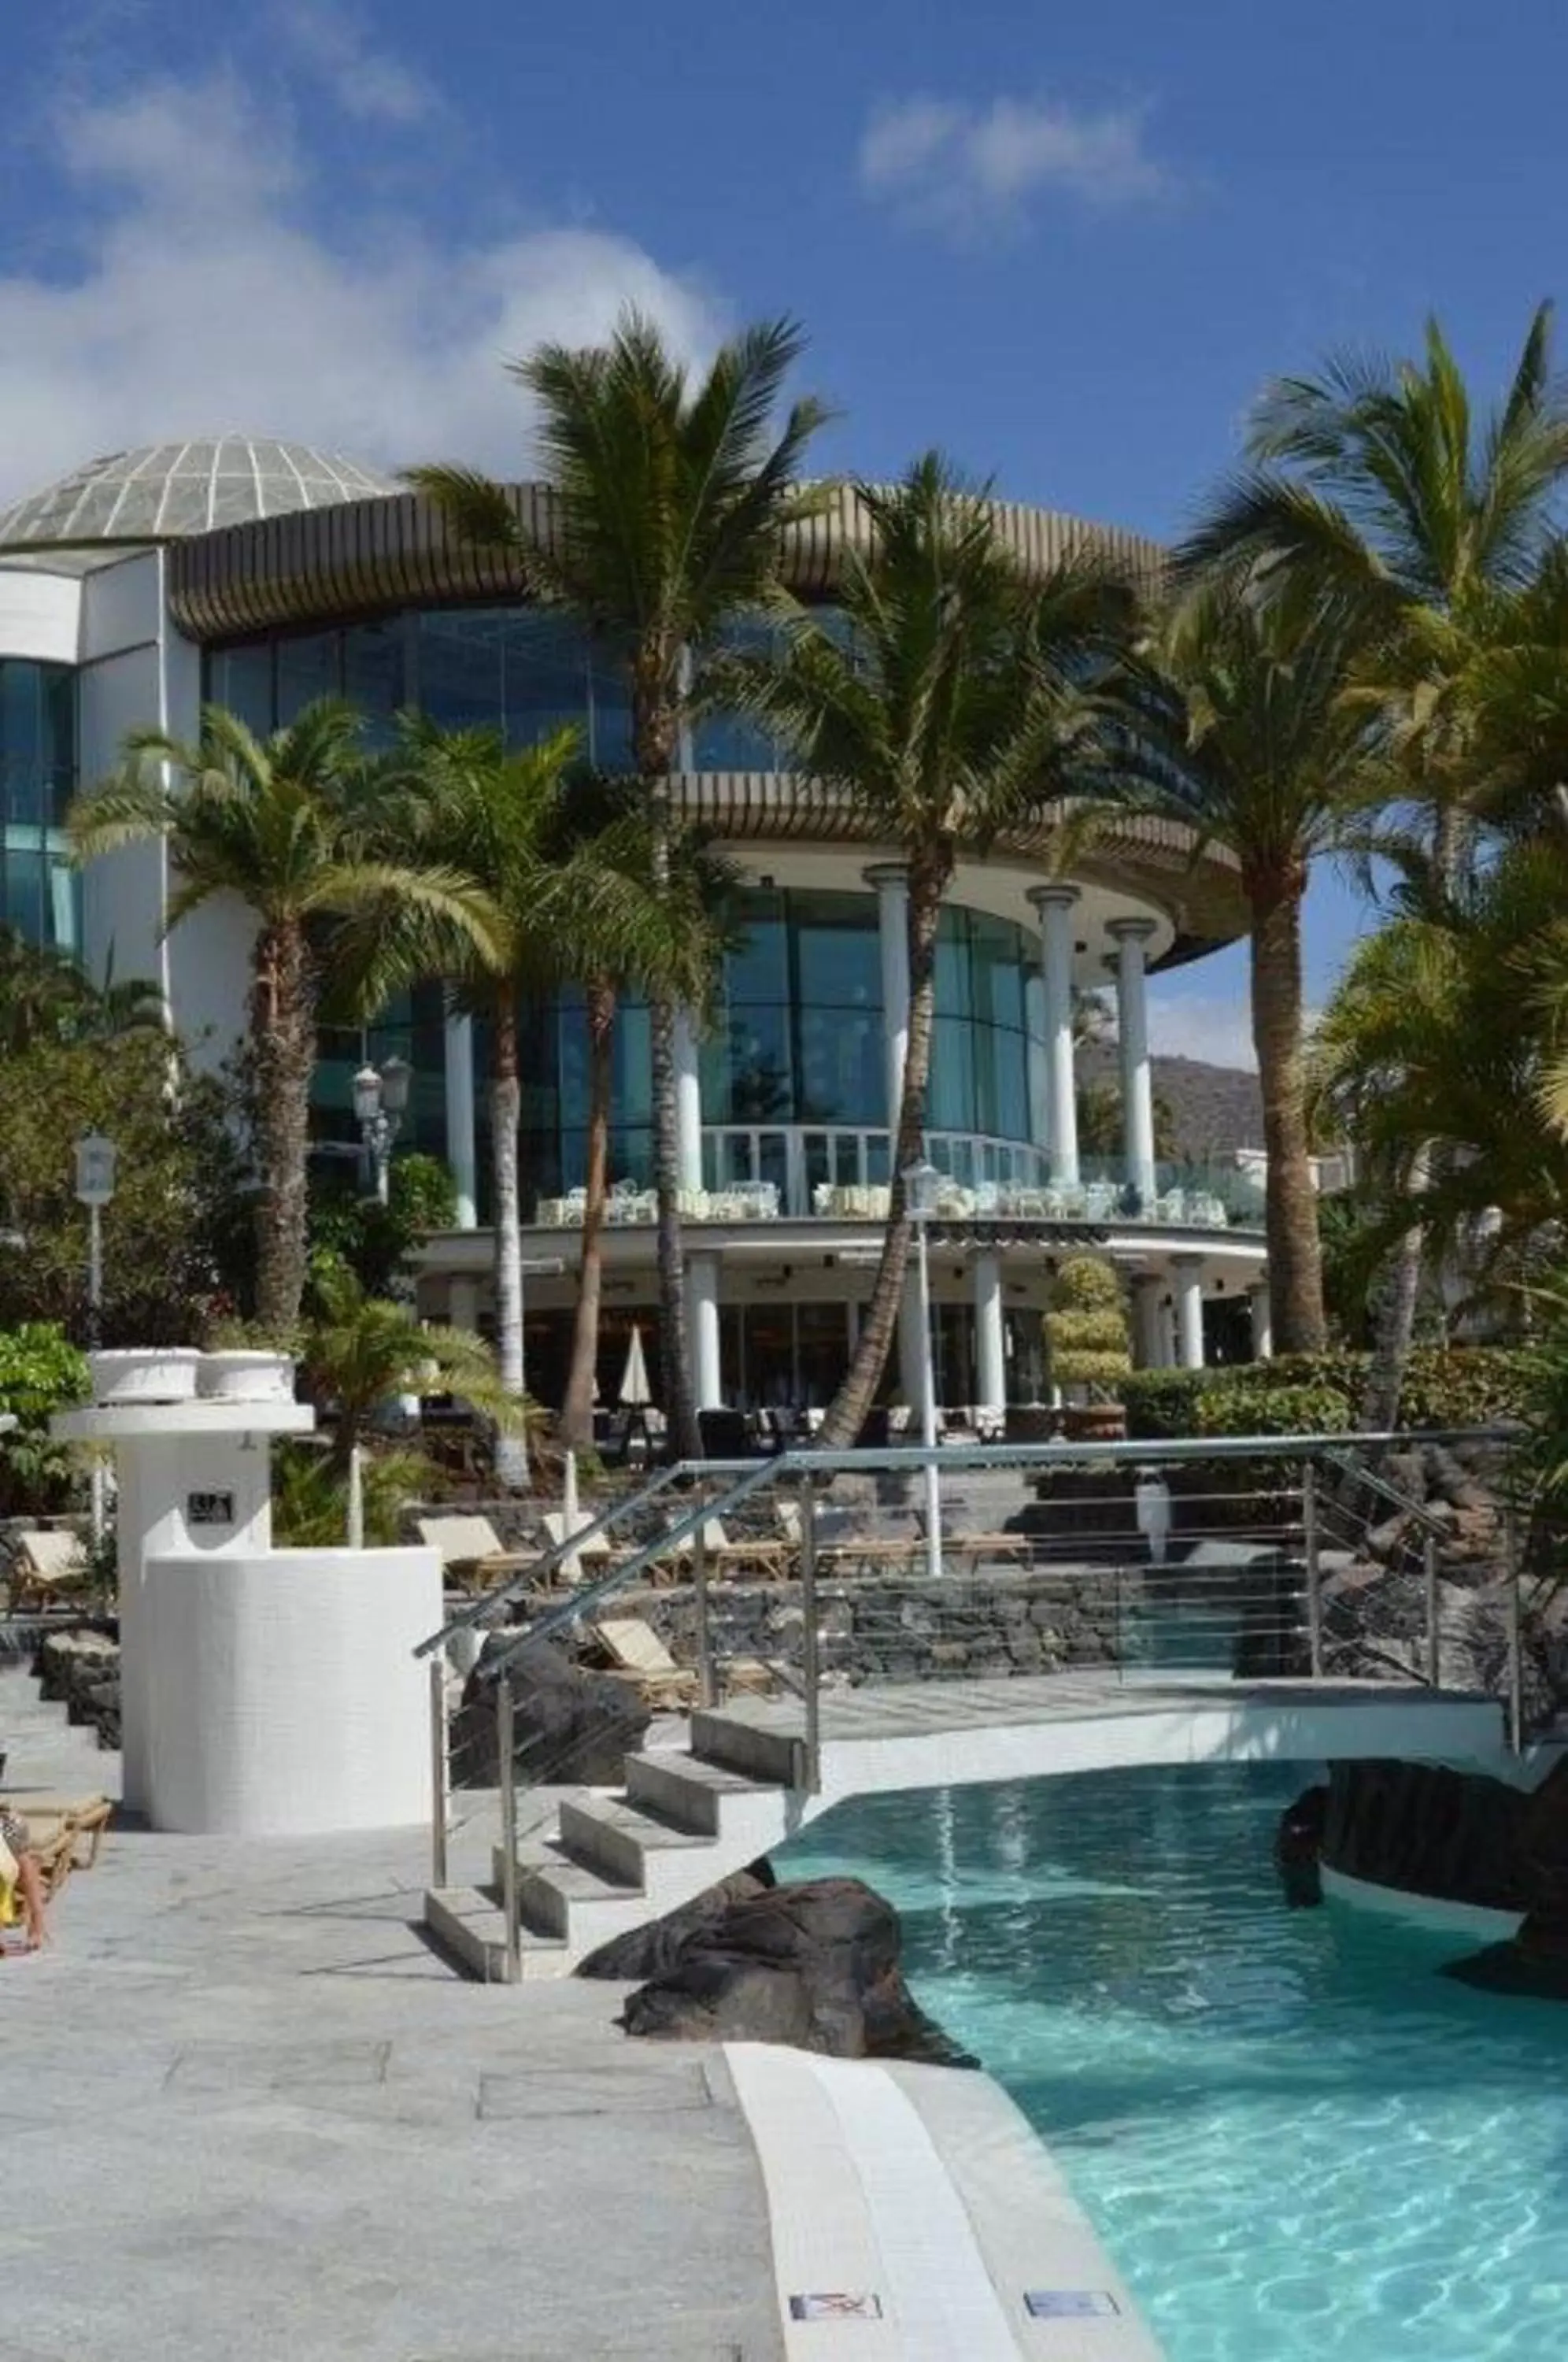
<point x="1309" y="1395"/>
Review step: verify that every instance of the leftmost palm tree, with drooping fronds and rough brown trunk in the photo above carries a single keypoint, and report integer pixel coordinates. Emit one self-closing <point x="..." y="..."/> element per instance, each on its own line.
<point x="285" y="826"/>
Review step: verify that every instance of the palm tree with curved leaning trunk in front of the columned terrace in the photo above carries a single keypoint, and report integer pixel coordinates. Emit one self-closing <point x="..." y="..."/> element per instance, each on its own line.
<point x="962" y="698"/>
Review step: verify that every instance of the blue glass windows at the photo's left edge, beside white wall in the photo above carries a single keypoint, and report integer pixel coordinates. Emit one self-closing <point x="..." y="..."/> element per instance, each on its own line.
<point x="39" y="889"/>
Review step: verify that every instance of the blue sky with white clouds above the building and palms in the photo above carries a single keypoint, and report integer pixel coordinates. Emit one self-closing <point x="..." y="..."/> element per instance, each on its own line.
<point x="1066" y="244"/>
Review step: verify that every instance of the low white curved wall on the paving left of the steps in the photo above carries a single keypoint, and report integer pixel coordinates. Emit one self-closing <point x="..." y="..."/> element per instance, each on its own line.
<point x="282" y="1690"/>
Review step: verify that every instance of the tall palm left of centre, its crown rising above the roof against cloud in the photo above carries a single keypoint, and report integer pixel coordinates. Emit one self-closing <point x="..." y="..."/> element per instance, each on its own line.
<point x="669" y="511"/>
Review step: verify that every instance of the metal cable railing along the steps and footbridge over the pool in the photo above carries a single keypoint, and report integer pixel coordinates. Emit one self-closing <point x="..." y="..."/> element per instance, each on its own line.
<point x="1201" y="1560"/>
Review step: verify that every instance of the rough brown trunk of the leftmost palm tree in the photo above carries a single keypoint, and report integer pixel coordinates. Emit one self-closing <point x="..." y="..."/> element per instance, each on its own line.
<point x="285" y="1057"/>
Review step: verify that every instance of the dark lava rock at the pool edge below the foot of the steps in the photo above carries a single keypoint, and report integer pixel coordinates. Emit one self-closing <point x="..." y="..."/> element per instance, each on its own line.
<point x="809" y="1964"/>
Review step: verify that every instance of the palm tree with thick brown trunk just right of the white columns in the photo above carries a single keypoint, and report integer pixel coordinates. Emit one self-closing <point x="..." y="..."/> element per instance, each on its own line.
<point x="1274" y="764"/>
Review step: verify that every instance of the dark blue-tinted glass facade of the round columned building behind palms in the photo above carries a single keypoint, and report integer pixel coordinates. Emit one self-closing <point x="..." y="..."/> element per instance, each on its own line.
<point x="797" y="1031"/>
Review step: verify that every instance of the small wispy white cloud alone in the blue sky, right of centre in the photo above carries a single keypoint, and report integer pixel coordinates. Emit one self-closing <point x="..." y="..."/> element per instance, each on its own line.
<point x="967" y="169"/>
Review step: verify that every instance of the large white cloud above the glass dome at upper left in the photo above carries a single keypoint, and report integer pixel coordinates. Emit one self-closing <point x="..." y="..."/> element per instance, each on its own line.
<point x="204" y="294"/>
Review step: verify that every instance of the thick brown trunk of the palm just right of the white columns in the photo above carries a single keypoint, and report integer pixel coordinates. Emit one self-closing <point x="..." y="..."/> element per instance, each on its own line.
<point x="1295" y="1255"/>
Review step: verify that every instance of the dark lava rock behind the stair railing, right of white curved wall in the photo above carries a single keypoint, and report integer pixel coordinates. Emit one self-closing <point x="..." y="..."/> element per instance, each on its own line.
<point x="570" y="1728"/>
